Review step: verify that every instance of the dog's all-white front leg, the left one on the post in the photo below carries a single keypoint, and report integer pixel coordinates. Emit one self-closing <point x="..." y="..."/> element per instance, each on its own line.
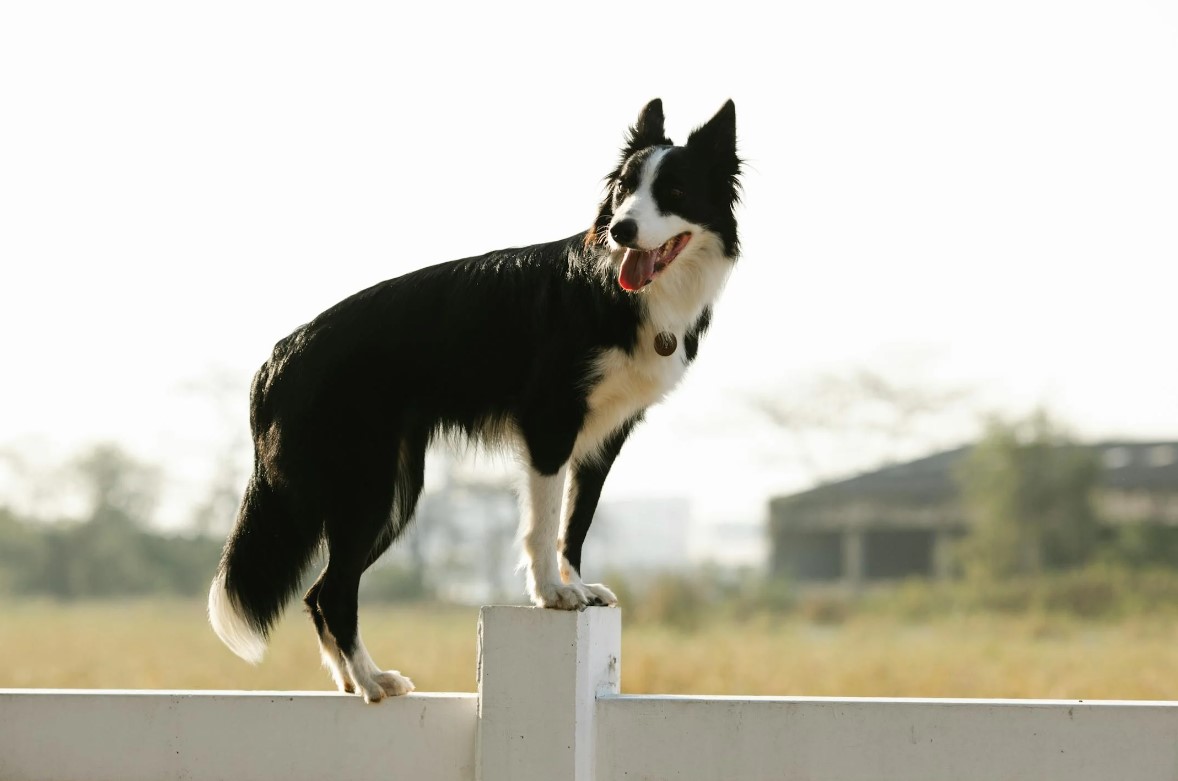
<point x="542" y="526"/>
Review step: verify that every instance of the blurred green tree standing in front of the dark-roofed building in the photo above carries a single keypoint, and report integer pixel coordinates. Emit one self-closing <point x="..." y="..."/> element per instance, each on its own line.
<point x="1029" y="494"/>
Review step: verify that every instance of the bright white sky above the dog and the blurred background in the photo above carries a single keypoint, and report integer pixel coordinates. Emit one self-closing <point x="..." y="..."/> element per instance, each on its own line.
<point x="989" y="187"/>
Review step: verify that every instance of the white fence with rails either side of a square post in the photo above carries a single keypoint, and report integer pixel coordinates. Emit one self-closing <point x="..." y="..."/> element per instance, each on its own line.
<point x="548" y="709"/>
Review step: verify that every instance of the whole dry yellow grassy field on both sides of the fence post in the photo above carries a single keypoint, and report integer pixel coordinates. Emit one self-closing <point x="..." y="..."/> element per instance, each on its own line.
<point x="168" y="645"/>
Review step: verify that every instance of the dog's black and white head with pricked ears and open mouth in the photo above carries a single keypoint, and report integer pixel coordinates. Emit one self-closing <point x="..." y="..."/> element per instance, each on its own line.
<point x="664" y="202"/>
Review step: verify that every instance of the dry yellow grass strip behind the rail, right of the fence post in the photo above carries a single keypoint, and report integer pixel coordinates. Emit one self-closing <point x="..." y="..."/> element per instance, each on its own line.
<point x="983" y="657"/>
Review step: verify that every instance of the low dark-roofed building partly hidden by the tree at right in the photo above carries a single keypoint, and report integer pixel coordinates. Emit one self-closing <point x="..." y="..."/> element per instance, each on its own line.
<point x="902" y="521"/>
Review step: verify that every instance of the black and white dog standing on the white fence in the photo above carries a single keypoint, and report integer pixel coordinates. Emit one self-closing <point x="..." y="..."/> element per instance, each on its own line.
<point x="554" y="350"/>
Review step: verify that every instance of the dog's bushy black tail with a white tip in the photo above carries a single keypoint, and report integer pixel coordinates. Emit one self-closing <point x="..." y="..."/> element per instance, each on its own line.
<point x="261" y="570"/>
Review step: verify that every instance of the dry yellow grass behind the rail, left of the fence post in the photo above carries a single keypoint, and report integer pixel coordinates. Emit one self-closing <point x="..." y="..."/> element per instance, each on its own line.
<point x="169" y="645"/>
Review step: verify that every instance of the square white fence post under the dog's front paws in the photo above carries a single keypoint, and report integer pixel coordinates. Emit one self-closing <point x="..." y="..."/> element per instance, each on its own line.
<point x="540" y="673"/>
